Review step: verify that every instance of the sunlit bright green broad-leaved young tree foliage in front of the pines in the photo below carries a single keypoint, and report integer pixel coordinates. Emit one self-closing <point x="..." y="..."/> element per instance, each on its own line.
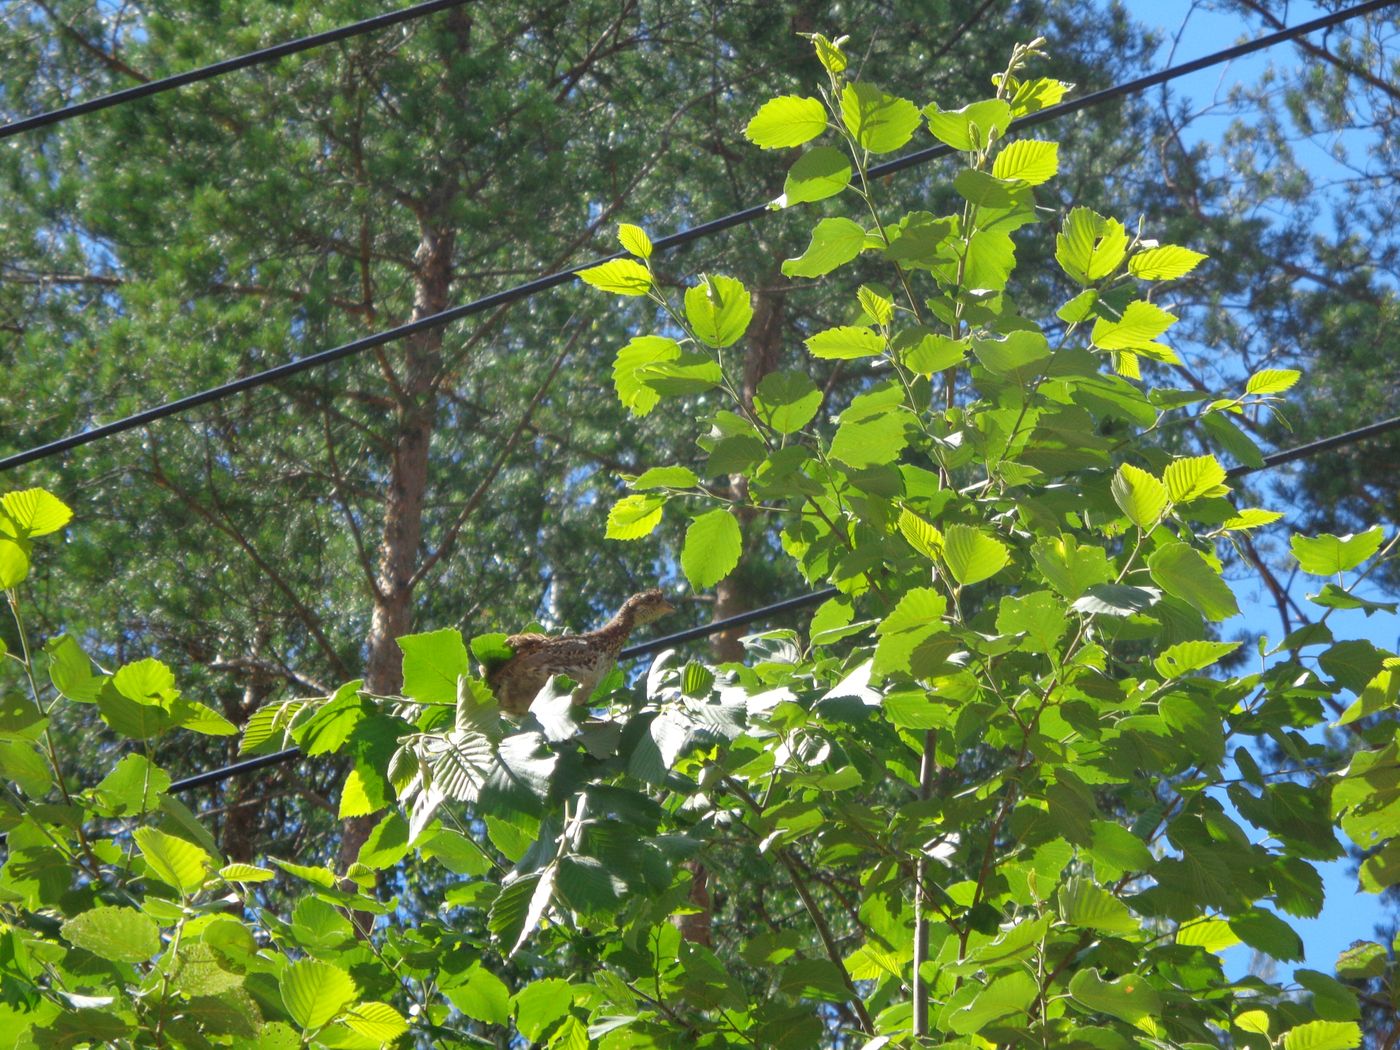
<point x="1000" y="793"/>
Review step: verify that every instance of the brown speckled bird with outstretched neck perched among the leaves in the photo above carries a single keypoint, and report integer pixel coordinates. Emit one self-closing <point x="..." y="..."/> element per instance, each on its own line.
<point x="586" y="659"/>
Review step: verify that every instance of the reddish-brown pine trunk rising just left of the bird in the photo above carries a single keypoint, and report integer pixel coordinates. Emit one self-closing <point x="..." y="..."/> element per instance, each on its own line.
<point x="404" y="499"/>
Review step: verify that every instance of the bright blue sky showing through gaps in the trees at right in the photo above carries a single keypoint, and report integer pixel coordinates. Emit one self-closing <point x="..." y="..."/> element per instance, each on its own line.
<point x="1189" y="30"/>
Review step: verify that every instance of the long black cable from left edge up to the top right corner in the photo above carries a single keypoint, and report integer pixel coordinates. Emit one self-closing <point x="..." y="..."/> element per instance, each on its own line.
<point x="682" y="237"/>
